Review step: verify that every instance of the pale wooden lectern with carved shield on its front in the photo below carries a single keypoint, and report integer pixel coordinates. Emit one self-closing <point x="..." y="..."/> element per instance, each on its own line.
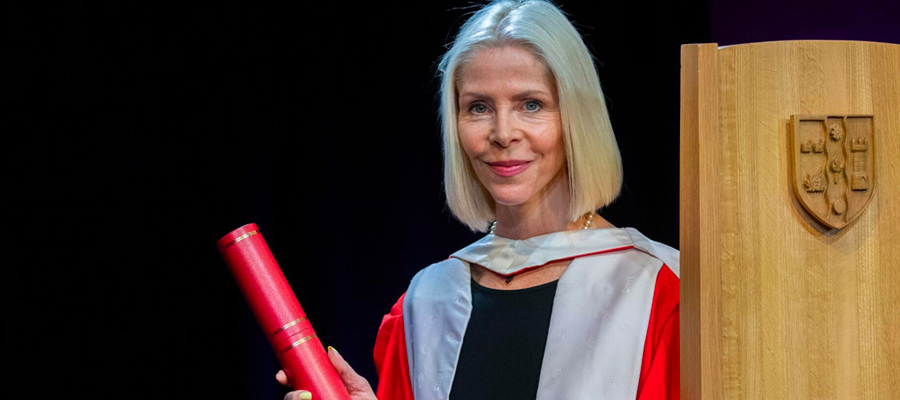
<point x="790" y="221"/>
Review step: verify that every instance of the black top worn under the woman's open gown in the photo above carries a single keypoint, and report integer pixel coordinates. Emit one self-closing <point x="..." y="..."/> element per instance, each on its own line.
<point x="504" y="343"/>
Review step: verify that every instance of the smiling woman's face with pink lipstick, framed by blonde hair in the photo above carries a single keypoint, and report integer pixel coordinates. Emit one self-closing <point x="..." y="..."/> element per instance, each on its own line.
<point x="509" y="123"/>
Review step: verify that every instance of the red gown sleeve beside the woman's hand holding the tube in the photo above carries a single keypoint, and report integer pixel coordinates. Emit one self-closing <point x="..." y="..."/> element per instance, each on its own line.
<point x="391" y="362"/>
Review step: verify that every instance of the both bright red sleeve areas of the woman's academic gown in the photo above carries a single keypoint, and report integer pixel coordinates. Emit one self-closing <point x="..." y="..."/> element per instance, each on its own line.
<point x="659" y="378"/>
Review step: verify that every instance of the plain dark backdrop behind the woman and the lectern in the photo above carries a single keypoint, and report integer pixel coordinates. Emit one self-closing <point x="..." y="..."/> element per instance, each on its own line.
<point x="136" y="135"/>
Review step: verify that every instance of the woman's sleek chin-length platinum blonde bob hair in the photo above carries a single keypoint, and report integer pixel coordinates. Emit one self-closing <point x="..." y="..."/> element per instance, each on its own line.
<point x="593" y="163"/>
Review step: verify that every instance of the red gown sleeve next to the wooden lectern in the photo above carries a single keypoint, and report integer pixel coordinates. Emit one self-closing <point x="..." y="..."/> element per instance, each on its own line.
<point x="660" y="368"/>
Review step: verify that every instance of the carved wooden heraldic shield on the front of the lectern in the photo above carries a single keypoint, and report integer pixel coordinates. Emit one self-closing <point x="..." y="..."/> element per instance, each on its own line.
<point x="833" y="165"/>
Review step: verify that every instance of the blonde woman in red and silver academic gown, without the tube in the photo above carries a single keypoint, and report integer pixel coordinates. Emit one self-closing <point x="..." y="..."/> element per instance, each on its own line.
<point x="554" y="302"/>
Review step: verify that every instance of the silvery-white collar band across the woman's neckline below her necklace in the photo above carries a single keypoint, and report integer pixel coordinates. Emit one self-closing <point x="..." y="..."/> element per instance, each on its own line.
<point x="509" y="257"/>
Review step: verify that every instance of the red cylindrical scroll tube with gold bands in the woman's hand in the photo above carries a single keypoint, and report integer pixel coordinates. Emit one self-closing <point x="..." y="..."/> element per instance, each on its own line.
<point x="279" y="314"/>
